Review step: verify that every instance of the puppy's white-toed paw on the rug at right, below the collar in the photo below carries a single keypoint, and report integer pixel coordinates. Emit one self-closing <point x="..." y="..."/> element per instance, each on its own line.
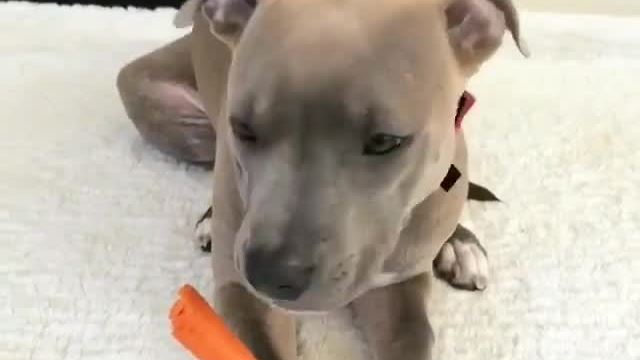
<point x="463" y="262"/>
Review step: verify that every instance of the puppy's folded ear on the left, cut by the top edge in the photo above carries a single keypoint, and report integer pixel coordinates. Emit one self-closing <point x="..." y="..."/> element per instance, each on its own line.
<point x="226" y="18"/>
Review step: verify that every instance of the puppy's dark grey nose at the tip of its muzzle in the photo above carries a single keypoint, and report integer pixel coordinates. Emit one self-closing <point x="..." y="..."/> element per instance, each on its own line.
<point x="276" y="276"/>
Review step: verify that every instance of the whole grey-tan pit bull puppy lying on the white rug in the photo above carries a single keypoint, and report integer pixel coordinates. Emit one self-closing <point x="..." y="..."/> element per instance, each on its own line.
<point x="331" y="123"/>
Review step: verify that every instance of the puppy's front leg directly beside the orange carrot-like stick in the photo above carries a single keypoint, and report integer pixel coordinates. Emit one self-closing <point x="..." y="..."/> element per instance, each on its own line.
<point x="268" y="332"/>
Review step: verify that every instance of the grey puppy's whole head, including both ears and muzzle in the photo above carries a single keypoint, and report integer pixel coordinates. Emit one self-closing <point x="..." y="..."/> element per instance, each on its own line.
<point x="340" y="120"/>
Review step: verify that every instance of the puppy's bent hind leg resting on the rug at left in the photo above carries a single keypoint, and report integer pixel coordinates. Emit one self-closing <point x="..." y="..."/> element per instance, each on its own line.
<point x="158" y="91"/>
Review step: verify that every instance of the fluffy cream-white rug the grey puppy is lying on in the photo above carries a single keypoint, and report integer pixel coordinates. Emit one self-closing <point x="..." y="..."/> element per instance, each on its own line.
<point x="95" y="224"/>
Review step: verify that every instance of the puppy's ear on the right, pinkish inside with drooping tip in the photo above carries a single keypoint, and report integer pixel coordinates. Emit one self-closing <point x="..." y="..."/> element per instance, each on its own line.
<point x="476" y="28"/>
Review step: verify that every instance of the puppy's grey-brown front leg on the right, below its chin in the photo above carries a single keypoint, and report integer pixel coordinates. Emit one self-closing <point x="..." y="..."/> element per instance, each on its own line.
<point x="394" y="320"/>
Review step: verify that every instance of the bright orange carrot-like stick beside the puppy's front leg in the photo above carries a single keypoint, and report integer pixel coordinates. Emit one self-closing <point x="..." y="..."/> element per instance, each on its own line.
<point x="201" y="330"/>
